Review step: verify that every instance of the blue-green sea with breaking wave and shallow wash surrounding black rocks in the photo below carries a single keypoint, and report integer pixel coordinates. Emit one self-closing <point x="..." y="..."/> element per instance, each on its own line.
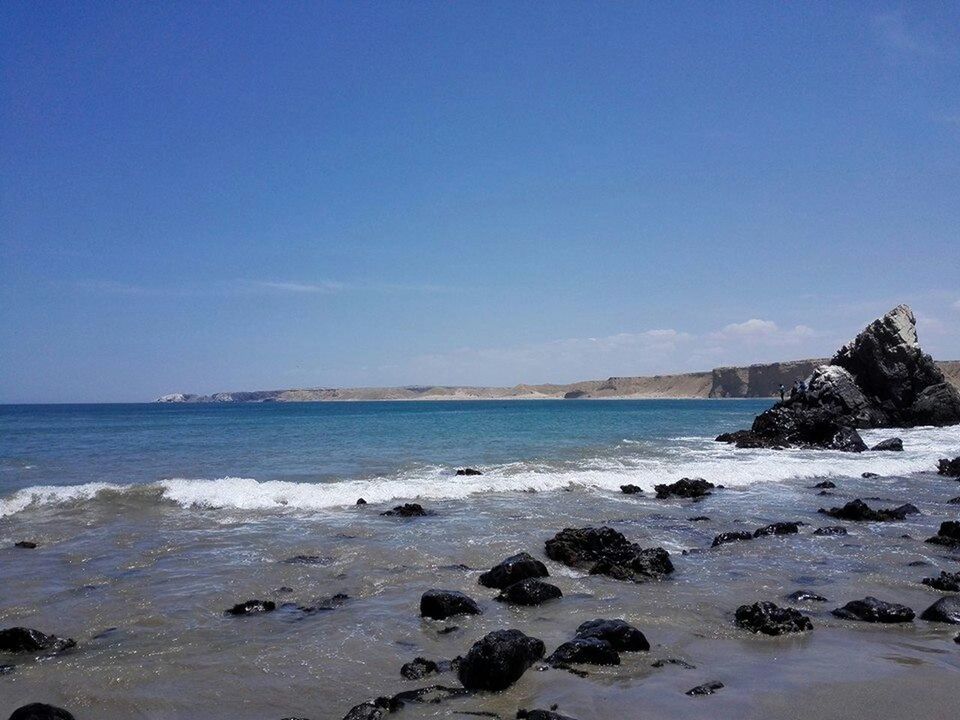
<point x="140" y="574"/>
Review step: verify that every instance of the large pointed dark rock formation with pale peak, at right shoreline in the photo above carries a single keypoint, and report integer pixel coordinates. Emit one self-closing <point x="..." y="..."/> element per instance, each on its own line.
<point x="882" y="378"/>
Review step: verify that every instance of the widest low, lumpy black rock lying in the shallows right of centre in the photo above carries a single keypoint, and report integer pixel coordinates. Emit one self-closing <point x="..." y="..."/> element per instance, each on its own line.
<point x="604" y="551"/>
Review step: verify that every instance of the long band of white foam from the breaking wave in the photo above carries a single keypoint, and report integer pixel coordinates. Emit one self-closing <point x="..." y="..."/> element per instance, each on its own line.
<point x="685" y="457"/>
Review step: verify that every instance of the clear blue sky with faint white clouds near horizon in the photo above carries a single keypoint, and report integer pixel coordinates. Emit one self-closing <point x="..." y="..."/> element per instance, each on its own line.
<point x="201" y="197"/>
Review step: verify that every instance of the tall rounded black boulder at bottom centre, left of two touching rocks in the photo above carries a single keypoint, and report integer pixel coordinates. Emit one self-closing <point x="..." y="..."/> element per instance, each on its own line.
<point x="497" y="660"/>
